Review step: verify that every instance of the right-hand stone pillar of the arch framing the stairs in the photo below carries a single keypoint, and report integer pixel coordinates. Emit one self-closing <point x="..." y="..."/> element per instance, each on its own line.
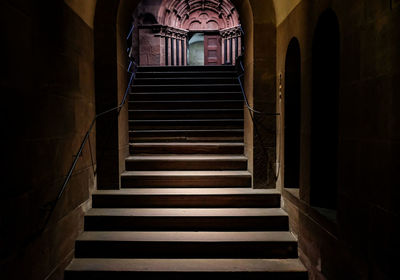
<point x="258" y="20"/>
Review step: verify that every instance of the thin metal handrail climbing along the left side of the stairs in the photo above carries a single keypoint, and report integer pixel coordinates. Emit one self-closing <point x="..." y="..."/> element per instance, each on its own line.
<point x="52" y="205"/>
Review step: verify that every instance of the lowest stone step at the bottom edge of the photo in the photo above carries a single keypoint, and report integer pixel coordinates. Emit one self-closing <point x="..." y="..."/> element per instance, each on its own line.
<point x="194" y="269"/>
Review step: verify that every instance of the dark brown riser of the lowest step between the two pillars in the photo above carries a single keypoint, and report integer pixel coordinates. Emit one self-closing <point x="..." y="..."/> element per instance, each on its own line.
<point x="184" y="181"/>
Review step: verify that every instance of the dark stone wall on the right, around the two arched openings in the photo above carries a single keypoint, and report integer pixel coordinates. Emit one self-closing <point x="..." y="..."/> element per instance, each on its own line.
<point x="363" y="231"/>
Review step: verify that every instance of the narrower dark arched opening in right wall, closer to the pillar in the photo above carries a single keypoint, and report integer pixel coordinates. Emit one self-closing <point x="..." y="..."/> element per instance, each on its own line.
<point x="292" y="115"/>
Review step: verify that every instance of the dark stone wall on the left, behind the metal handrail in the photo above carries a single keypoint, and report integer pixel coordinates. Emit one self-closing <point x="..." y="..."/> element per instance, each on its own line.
<point x="47" y="83"/>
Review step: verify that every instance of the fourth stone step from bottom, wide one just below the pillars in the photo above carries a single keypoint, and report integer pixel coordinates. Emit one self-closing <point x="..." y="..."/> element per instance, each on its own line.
<point x="186" y="198"/>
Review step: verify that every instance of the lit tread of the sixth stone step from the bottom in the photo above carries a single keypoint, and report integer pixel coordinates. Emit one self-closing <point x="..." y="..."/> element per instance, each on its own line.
<point x="196" y="157"/>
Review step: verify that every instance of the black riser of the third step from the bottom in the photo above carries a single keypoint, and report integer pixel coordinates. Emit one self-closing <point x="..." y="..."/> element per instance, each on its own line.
<point x="104" y="223"/>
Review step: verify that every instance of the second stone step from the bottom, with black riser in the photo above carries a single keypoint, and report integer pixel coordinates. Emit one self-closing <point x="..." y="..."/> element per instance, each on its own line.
<point x="182" y="244"/>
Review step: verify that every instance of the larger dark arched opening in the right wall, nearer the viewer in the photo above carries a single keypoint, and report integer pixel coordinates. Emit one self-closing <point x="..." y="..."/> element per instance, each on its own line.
<point x="325" y="111"/>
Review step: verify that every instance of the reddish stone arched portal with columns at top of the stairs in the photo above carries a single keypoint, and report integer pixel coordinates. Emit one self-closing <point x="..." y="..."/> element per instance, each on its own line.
<point x="172" y="37"/>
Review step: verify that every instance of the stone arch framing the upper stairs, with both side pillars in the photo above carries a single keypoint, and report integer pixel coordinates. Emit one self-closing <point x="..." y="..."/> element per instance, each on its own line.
<point x="111" y="24"/>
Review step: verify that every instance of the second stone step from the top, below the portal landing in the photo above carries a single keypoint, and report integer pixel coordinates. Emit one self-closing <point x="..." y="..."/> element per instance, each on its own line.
<point x="177" y="73"/>
